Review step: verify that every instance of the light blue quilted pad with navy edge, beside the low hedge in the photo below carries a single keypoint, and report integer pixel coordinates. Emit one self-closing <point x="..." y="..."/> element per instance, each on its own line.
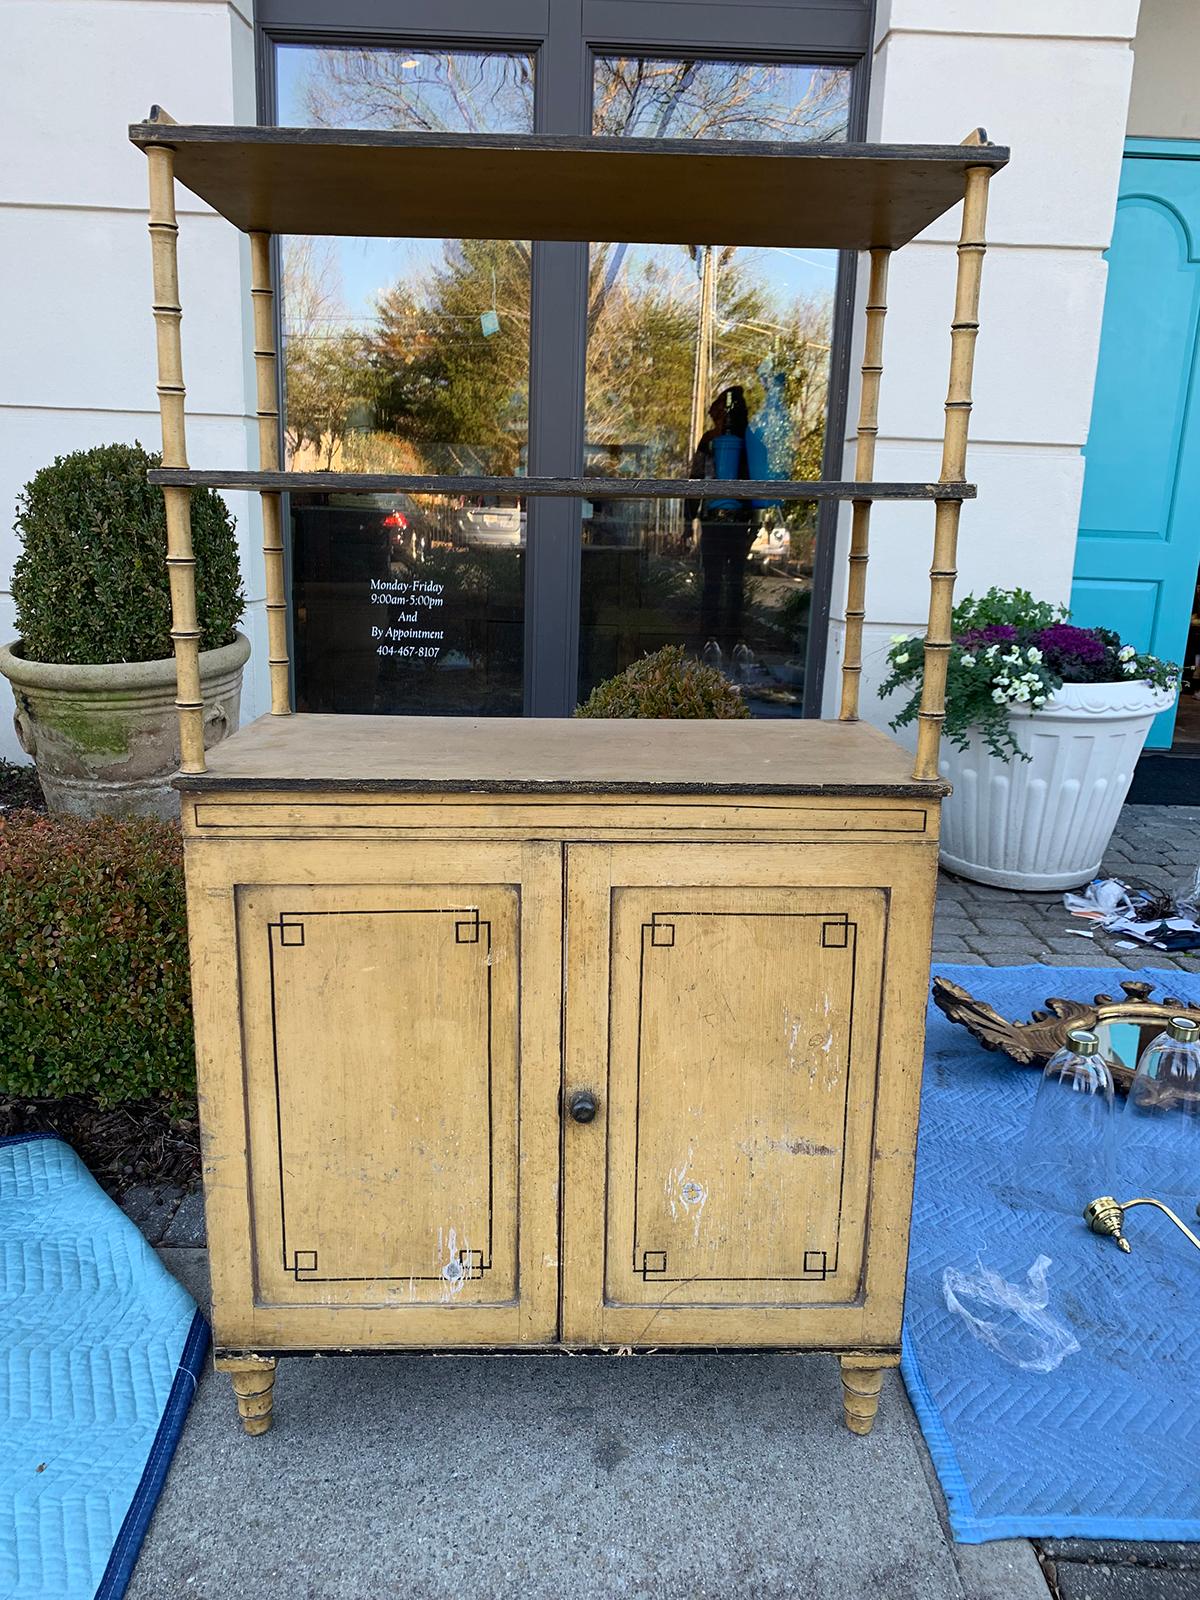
<point x="100" y="1356"/>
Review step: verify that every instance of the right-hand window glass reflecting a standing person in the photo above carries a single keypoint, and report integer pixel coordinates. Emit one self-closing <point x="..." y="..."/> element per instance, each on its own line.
<point x="710" y="362"/>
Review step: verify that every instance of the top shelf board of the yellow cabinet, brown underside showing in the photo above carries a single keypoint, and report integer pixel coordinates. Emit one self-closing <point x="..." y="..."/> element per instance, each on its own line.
<point x="526" y="186"/>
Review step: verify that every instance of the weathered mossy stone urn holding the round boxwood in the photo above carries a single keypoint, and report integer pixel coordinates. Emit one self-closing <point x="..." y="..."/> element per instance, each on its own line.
<point x="105" y="738"/>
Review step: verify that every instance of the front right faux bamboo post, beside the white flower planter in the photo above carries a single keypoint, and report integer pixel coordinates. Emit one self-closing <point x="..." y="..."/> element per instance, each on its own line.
<point x="943" y="572"/>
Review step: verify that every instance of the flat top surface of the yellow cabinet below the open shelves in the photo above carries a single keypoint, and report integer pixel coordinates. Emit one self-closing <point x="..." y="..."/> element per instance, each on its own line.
<point x="559" y="756"/>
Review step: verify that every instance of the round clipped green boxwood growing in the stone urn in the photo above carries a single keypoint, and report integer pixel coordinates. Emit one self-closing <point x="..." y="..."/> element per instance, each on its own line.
<point x="90" y="585"/>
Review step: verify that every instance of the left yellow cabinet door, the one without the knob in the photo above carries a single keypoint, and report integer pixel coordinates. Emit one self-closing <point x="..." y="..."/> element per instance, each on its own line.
<point x="396" y="1090"/>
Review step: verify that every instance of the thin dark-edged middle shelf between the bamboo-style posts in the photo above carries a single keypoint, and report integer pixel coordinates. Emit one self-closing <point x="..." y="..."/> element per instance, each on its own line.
<point x="562" y="489"/>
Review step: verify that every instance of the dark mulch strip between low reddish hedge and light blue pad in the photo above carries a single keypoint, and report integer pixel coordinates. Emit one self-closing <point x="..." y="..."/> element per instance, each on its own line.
<point x="126" y="1146"/>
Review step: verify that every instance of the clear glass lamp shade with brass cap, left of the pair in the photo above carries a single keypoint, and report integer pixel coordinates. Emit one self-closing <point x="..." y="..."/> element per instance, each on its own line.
<point x="1066" y="1158"/>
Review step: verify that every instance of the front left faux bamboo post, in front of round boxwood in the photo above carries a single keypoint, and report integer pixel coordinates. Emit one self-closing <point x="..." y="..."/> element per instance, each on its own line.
<point x="180" y="558"/>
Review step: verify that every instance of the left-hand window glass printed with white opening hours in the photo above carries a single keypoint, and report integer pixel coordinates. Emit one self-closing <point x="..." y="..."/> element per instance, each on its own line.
<point x="407" y="356"/>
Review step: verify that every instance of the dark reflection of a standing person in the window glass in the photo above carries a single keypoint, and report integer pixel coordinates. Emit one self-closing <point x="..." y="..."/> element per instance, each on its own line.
<point x="726" y="524"/>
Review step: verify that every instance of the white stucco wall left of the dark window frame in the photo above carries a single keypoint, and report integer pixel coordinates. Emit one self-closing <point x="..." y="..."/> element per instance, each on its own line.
<point x="76" y="327"/>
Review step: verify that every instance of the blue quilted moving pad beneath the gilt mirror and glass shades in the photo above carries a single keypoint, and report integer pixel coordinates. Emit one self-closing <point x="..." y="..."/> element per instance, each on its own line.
<point x="1108" y="1446"/>
